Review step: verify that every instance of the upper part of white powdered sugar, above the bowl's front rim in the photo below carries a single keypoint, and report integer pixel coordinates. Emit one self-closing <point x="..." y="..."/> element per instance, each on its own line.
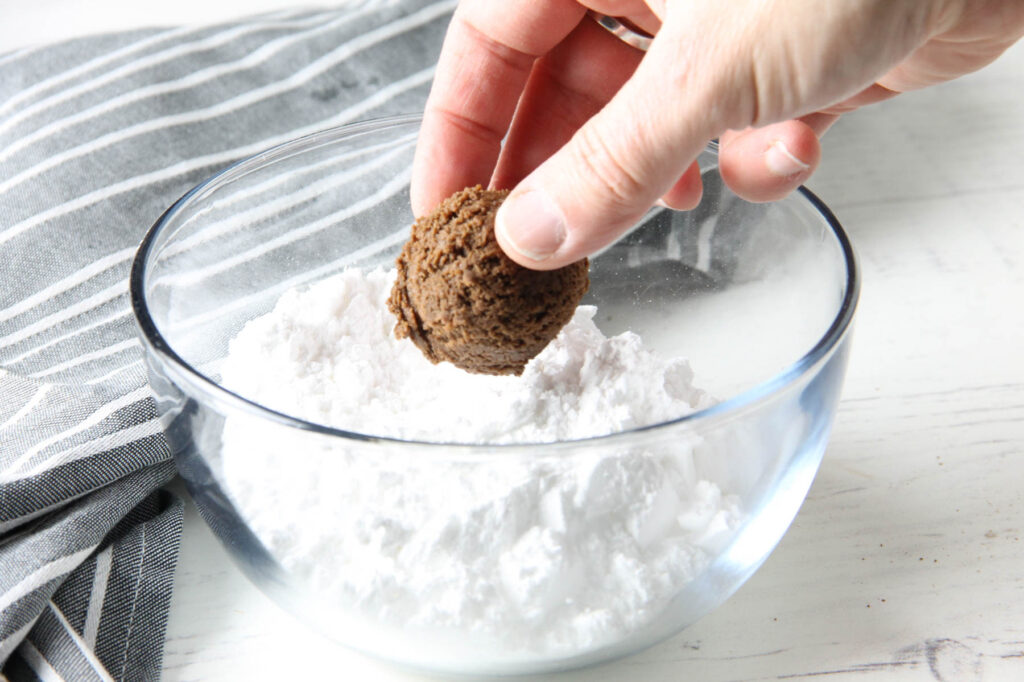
<point x="328" y="356"/>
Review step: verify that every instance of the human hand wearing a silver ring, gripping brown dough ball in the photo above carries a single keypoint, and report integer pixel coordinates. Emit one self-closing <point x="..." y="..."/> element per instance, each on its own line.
<point x="599" y="132"/>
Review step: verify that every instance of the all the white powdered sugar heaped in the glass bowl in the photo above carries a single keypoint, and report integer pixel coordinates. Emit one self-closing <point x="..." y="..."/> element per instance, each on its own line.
<point x="558" y="553"/>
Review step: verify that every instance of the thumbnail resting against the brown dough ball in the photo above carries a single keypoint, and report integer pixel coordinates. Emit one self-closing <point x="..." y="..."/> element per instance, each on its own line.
<point x="531" y="224"/>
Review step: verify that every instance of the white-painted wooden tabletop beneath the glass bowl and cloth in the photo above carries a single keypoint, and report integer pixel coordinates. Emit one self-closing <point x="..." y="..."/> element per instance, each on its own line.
<point x="907" y="563"/>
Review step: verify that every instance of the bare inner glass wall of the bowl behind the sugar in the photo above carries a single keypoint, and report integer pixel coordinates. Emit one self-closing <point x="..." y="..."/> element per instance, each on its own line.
<point x="744" y="291"/>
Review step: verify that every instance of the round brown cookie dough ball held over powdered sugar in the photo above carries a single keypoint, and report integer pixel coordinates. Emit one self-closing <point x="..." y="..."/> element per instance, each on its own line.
<point x="461" y="300"/>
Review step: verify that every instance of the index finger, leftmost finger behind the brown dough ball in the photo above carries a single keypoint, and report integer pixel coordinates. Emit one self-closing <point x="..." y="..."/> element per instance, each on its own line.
<point x="486" y="60"/>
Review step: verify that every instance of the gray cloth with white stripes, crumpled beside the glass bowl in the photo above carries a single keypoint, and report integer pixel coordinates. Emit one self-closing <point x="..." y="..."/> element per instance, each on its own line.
<point x="98" y="137"/>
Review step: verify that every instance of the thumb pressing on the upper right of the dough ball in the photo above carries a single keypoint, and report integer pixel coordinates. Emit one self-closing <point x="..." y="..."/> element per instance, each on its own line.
<point x="604" y="181"/>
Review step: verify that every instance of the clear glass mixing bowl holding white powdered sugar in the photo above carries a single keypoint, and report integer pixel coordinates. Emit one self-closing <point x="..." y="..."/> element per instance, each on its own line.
<point x="759" y="297"/>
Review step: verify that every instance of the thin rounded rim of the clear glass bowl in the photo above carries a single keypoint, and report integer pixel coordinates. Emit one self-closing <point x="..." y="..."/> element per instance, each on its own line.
<point x="155" y="343"/>
